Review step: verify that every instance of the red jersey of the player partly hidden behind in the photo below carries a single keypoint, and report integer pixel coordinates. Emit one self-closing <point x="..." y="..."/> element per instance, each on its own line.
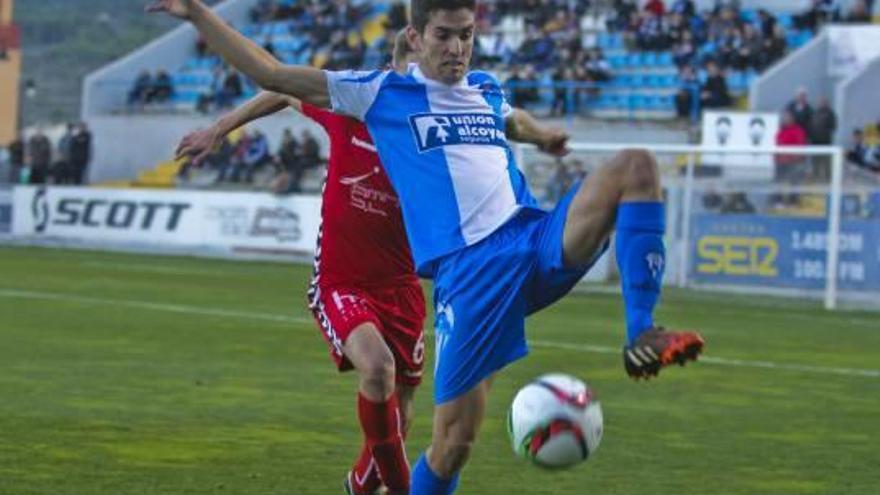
<point x="362" y="238"/>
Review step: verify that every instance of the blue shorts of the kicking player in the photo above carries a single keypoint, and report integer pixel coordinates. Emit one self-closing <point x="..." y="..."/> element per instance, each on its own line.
<point x="483" y="293"/>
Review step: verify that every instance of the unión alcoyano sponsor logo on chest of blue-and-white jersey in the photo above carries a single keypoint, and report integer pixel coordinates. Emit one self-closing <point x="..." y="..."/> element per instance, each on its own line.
<point x="435" y="130"/>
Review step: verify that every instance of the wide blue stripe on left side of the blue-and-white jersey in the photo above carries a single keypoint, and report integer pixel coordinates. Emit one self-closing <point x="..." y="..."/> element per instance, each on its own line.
<point x="418" y="181"/>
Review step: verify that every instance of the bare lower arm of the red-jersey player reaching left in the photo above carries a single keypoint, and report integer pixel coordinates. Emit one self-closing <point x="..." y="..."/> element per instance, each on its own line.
<point x="201" y="143"/>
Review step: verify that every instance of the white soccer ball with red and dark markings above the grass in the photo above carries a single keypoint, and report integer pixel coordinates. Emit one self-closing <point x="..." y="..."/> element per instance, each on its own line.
<point x="555" y="421"/>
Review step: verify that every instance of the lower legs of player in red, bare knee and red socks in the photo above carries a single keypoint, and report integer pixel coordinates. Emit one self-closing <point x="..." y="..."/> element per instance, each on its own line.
<point x="379" y="413"/>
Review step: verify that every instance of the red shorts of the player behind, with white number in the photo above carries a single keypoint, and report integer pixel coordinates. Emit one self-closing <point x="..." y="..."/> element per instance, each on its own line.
<point x="398" y="312"/>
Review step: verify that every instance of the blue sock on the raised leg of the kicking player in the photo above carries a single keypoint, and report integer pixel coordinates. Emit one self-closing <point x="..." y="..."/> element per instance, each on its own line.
<point x="641" y="258"/>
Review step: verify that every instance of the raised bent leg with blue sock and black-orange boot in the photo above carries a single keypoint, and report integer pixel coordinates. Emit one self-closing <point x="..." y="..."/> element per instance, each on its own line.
<point x="625" y="195"/>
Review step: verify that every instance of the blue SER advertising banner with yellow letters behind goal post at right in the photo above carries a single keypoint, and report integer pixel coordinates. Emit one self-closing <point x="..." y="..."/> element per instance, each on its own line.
<point x="783" y="252"/>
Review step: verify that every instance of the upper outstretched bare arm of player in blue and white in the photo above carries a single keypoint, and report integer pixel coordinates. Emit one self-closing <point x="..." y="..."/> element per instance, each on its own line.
<point x="305" y="83"/>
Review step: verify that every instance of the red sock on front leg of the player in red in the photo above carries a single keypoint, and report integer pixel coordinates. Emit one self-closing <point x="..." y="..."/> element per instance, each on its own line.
<point x="381" y="424"/>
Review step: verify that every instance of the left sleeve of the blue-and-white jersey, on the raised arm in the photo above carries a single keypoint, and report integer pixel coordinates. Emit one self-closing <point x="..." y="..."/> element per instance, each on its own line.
<point x="353" y="92"/>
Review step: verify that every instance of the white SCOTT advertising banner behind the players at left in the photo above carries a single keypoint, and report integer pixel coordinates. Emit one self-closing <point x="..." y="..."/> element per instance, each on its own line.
<point x="257" y="223"/>
